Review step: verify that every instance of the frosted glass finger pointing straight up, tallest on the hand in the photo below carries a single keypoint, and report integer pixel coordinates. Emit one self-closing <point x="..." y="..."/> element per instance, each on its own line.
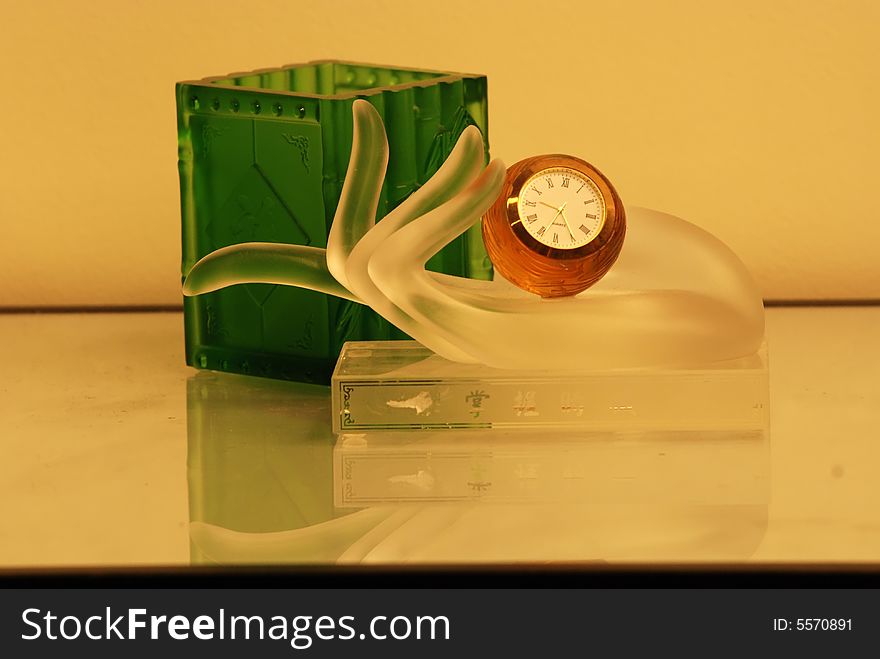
<point x="356" y="211"/>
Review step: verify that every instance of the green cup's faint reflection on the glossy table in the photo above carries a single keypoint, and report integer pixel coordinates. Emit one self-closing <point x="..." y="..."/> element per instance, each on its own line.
<point x="260" y="454"/>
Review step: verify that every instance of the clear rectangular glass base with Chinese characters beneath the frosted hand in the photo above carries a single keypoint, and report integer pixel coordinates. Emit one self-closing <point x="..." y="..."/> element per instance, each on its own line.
<point x="401" y="385"/>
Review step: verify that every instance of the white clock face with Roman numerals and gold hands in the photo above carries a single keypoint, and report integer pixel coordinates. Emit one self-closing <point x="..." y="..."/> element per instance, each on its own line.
<point x="561" y="208"/>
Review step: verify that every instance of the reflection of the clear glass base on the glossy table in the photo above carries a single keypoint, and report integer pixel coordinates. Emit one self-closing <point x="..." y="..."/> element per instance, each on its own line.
<point x="662" y="468"/>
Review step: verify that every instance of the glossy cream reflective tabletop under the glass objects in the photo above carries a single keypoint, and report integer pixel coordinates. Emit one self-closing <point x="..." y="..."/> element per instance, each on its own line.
<point x="114" y="453"/>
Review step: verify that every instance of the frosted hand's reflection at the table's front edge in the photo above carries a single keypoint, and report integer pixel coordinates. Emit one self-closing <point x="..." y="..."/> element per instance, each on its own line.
<point x="474" y="533"/>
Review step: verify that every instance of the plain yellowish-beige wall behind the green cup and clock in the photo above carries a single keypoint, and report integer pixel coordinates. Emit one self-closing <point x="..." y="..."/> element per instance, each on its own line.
<point x="756" y="120"/>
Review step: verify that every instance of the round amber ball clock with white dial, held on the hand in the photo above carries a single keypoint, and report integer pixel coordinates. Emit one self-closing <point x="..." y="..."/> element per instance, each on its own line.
<point x="557" y="227"/>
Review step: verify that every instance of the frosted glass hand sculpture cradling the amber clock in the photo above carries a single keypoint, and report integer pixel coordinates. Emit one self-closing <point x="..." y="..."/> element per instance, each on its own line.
<point x="676" y="295"/>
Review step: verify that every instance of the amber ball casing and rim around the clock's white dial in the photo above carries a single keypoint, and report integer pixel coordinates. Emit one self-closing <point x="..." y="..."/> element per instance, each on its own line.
<point x="530" y="264"/>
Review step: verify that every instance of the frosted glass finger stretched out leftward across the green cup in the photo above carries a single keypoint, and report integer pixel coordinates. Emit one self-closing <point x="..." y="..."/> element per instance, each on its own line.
<point x="264" y="263"/>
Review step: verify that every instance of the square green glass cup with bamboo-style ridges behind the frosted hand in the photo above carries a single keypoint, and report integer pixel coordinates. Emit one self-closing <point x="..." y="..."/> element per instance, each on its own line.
<point x="263" y="157"/>
